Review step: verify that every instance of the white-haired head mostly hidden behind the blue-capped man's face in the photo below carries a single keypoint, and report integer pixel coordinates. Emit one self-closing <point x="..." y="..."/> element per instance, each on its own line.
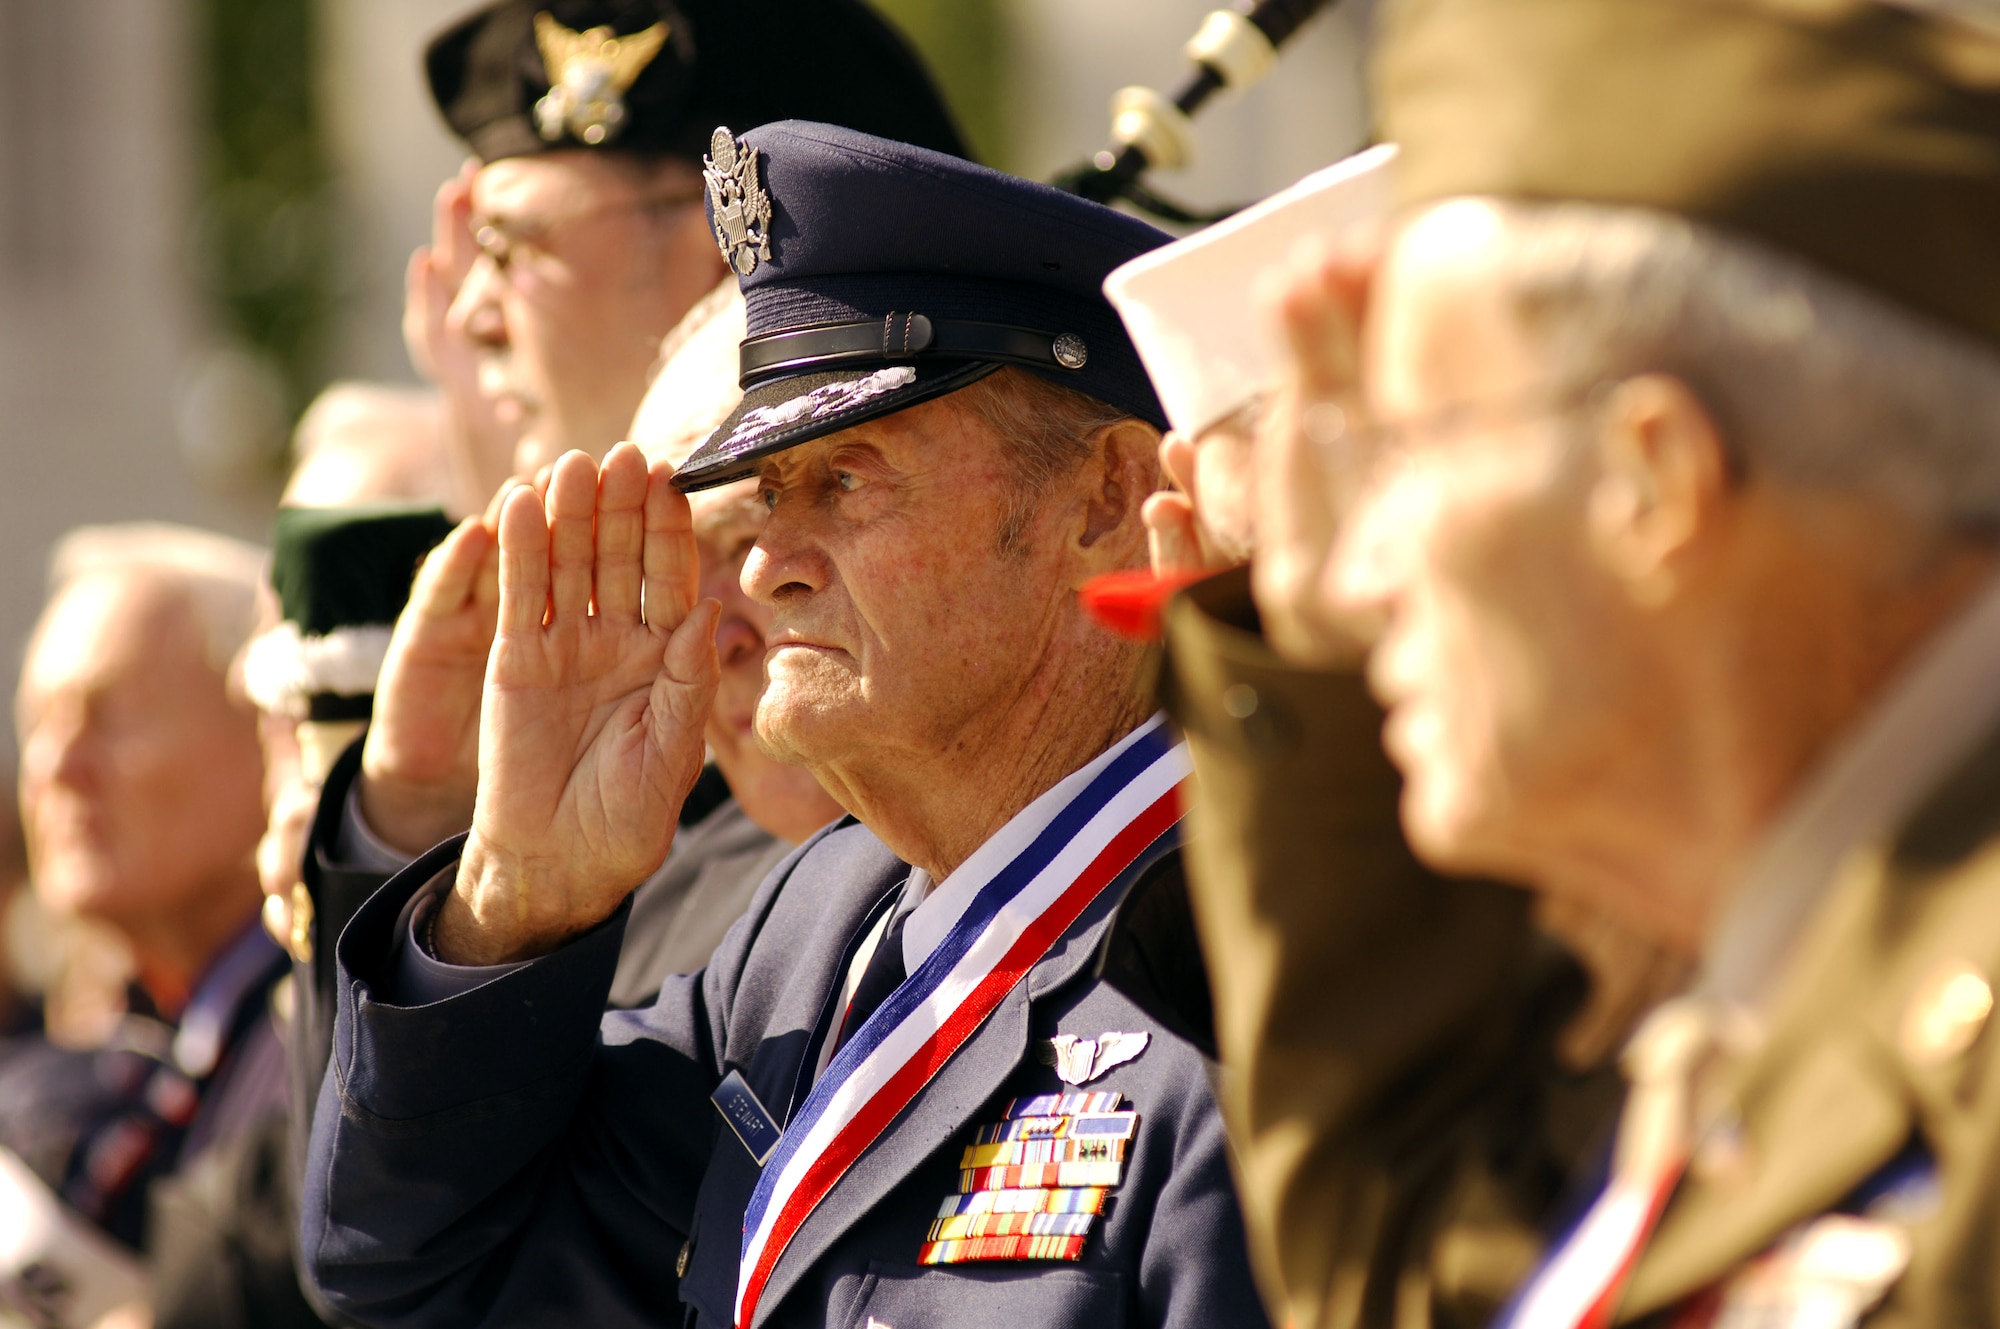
<point x="693" y="391"/>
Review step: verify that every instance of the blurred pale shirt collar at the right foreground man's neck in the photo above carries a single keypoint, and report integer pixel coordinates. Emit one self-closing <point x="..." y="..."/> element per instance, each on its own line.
<point x="1933" y="718"/>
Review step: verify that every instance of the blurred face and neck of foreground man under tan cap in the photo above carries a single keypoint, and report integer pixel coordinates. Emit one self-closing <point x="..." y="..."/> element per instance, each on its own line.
<point x="1611" y="651"/>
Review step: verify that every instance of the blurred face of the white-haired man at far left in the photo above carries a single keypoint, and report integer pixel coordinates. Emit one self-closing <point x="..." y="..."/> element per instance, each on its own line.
<point x="141" y="780"/>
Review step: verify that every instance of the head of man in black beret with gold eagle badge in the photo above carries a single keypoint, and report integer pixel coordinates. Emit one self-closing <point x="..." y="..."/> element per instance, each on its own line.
<point x="587" y="211"/>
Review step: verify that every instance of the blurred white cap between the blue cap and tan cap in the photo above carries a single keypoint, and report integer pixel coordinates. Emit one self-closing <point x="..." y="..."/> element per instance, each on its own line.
<point x="1189" y="305"/>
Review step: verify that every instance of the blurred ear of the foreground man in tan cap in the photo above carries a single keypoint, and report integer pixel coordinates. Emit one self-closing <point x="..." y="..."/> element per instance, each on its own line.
<point x="1661" y="489"/>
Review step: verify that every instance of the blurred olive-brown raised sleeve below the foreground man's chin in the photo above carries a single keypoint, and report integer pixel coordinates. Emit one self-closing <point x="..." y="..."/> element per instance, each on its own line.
<point x="1387" y="1034"/>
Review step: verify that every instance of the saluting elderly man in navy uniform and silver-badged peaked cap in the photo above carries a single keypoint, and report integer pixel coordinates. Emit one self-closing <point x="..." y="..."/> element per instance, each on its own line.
<point x="903" y="1090"/>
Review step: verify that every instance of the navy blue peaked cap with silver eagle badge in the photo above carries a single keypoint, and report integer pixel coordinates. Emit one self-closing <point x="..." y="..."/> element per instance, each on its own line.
<point x="879" y="275"/>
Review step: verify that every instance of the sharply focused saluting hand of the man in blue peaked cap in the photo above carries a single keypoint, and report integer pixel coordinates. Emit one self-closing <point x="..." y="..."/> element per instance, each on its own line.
<point x="591" y="738"/>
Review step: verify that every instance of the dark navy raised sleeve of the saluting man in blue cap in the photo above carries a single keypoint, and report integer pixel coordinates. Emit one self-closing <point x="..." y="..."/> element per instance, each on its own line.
<point x="477" y="1154"/>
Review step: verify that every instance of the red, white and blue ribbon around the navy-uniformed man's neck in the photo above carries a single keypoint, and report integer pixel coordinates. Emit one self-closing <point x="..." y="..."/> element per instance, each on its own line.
<point x="1013" y="920"/>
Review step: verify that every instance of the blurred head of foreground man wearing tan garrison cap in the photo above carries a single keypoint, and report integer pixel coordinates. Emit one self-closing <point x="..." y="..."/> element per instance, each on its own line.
<point x="1661" y="449"/>
